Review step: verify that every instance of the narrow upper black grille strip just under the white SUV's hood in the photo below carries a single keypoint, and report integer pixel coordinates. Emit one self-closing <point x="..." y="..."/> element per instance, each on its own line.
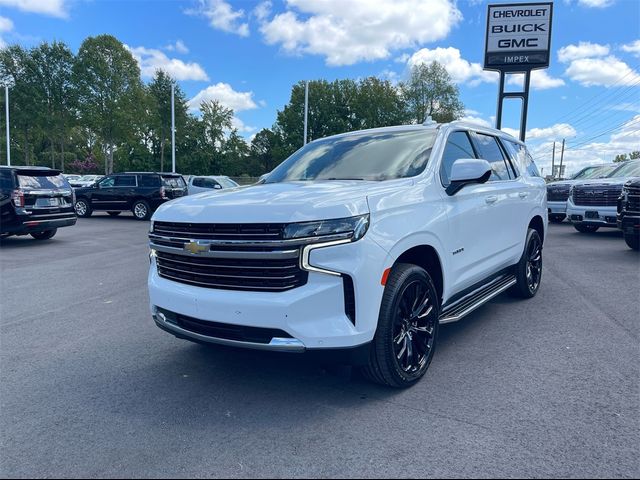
<point x="220" y="231"/>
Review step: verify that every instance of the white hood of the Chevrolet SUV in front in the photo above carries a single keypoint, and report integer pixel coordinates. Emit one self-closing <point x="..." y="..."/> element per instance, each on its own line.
<point x="277" y="202"/>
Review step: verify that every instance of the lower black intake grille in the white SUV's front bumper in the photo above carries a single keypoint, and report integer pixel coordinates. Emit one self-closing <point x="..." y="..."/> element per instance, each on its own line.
<point x="224" y="331"/>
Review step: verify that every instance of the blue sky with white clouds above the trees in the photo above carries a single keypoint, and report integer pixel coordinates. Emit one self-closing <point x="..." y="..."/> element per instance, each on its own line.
<point x="248" y="54"/>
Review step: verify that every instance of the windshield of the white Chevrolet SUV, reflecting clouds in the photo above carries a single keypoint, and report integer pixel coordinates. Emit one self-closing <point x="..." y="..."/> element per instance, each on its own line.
<point x="360" y="156"/>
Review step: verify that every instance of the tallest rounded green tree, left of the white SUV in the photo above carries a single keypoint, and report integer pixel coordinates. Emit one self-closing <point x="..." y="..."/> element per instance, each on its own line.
<point x="107" y="79"/>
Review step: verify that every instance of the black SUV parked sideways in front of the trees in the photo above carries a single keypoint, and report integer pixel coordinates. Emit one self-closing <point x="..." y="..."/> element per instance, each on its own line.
<point x="140" y="192"/>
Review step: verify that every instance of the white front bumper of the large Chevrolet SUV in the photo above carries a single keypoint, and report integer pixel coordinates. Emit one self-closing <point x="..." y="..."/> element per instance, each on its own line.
<point x="313" y="316"/>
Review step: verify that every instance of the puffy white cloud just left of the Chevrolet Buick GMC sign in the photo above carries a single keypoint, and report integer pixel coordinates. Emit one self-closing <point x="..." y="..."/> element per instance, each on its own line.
<point x="461" y="70"/>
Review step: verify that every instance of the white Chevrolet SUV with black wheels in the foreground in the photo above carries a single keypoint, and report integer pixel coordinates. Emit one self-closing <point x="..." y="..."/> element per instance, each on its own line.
<point x="357" y="244"/>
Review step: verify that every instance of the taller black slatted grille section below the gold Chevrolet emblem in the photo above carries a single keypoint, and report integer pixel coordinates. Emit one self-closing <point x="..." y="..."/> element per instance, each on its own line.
<point x="260" y="274"/>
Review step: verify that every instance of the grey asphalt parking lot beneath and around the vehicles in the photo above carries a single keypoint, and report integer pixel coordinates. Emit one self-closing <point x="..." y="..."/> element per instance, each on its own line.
<point x="91" y="387"/>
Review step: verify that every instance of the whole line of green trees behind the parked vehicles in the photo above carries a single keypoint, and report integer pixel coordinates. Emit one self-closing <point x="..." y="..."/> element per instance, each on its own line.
<point x="90" y="112"/>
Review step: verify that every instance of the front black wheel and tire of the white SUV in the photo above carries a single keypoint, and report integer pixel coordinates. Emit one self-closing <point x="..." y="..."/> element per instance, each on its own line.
<point x="403" y="329"/>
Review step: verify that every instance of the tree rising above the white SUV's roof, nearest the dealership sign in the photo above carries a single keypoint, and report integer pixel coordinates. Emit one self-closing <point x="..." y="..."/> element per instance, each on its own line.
<point x="429" y="92"/>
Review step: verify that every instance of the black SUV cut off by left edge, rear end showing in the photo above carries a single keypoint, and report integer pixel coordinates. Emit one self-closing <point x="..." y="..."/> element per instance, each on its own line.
<point x="34" y="201"/>
